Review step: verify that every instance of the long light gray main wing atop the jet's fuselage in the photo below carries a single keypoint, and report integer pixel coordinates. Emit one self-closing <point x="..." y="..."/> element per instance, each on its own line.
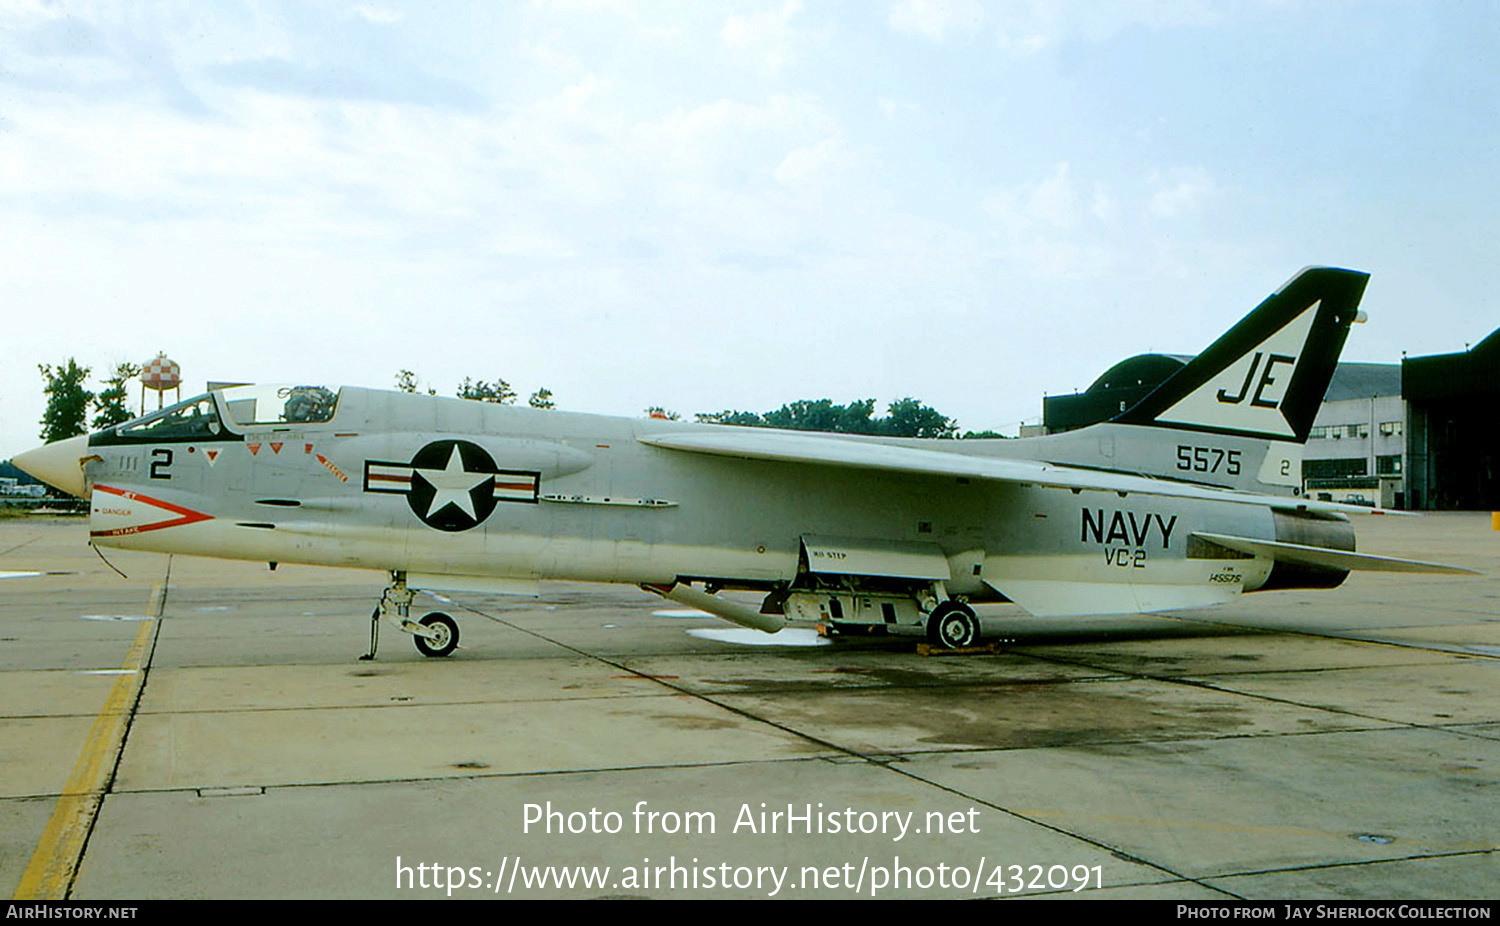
<point x="869" y="455"/>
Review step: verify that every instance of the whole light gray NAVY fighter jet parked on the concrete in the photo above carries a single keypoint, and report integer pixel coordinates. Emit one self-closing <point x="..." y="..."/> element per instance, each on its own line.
<point x="1181" y="502"/>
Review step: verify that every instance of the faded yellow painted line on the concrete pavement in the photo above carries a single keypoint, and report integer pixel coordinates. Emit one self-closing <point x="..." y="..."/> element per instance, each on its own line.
<point x="50" y="874"/>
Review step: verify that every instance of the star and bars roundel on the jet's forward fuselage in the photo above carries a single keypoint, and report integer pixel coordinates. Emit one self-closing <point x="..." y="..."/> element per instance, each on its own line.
<point x="452" y="484"/>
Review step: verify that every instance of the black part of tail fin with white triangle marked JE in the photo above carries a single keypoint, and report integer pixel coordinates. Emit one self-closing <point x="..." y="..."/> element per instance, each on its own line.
<point x="1268" y="374"/>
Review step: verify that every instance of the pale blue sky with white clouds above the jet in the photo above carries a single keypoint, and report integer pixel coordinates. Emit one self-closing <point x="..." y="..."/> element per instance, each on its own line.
<point x="730" y="205"/>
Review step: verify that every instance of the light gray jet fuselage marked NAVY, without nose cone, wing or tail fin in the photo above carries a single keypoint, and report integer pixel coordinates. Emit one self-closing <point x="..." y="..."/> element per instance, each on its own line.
<point x="448" y="487"/>
